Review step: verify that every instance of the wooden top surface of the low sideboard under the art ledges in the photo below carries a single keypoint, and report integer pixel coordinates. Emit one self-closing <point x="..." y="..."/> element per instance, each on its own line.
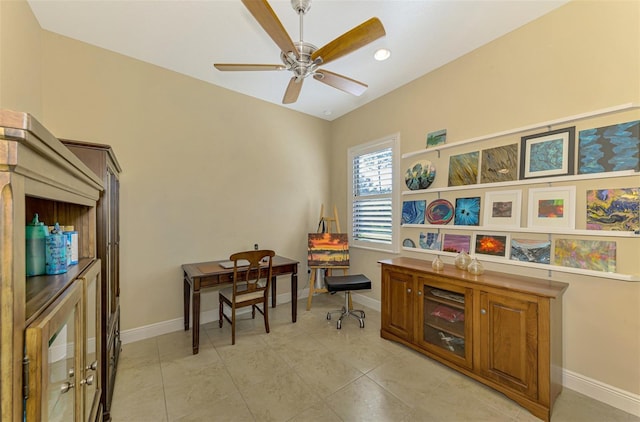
<point x="531" y="285"/>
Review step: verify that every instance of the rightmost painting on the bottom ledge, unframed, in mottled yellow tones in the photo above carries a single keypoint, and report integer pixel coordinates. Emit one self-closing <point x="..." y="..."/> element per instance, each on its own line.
<point x="597" y="255"/>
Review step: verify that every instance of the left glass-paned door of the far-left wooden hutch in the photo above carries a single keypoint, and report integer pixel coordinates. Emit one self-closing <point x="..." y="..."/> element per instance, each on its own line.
<point x="54" y="354"/>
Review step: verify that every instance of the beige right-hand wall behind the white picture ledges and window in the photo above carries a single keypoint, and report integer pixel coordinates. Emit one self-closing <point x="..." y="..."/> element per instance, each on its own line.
<point x="582" y="57"/>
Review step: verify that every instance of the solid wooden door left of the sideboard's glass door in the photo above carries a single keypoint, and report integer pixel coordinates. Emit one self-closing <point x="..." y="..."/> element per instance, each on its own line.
<point x="398" y="292"/>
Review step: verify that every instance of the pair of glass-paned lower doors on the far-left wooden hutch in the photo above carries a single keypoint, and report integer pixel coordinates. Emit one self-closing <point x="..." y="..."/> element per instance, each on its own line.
<point x="63" y="371"/>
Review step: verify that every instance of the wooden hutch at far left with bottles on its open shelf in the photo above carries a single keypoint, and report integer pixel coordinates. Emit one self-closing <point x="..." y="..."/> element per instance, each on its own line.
<point x="38" y="174"/>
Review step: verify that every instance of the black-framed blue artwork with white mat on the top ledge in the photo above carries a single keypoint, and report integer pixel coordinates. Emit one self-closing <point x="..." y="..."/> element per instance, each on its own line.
<point x="547" y="154"/>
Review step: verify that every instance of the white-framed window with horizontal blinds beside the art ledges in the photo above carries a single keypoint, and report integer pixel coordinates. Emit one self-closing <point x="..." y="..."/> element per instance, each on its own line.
<point x="373" y="198"/>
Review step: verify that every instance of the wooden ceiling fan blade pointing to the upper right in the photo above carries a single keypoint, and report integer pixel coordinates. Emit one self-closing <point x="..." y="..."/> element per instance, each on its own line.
<point x="350" y="41"/>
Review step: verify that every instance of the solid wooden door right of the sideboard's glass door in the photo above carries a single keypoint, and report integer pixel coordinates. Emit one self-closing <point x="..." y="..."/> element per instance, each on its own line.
<point x="509" y="342"/>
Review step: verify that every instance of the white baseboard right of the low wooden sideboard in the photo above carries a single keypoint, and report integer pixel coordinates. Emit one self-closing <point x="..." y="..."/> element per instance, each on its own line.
<point x="597" y="390"/>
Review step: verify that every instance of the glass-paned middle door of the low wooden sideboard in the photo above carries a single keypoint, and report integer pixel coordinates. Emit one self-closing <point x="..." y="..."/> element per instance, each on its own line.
<point x="446" y="320"/>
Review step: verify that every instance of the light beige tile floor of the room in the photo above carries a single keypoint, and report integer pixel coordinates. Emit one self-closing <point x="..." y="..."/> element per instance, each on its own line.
<point x="310" y="371"/>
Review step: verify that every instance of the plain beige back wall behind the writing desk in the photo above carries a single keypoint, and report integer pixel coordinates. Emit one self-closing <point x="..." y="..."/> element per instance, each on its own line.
<point x="206" y="171"/>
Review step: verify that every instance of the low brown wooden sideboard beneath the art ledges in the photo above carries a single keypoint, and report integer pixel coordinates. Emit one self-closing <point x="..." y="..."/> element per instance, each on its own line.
<point x="500" y="329"/>
